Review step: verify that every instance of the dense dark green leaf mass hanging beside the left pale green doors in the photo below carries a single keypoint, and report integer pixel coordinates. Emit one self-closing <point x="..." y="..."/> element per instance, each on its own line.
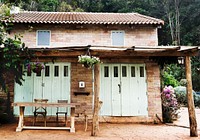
<point x="11" y="56"/>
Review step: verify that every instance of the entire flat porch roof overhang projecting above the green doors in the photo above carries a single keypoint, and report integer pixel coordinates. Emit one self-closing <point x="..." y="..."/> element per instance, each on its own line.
<point x="109" y="51"/>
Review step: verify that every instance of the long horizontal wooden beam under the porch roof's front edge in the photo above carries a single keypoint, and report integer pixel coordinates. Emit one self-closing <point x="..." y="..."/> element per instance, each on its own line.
<point x="115" y="53"/>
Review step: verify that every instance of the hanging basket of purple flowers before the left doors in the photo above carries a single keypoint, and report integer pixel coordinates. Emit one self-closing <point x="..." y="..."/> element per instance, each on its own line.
<point x="36" y="67"/>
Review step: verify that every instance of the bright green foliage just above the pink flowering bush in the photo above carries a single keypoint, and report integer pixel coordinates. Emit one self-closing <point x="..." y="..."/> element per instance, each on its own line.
<point x="169" y="80"/>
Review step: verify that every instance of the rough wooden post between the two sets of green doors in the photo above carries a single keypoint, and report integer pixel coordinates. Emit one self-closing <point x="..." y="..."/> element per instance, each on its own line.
<point x="95" y="121"/>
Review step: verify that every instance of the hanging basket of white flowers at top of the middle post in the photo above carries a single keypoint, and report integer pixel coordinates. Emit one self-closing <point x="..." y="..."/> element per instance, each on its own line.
<point x="88" y="61"/>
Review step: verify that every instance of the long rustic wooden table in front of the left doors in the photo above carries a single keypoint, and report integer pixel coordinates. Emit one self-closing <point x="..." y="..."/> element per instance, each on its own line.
<point x="22" y="106"/>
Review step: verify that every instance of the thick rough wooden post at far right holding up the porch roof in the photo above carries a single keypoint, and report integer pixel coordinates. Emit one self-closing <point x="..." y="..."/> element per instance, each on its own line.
<point x="191" y="108"/>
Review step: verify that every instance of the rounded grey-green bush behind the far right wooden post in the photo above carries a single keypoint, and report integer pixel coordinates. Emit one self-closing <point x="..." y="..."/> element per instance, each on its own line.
<point x="181" y="95"/>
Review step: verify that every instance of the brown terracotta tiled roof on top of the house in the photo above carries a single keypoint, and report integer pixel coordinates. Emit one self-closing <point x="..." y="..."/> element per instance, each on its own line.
<point x="85" y="18"/>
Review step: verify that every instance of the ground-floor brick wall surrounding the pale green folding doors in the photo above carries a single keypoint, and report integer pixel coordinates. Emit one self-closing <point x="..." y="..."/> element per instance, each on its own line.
<point x="79" y="73"/>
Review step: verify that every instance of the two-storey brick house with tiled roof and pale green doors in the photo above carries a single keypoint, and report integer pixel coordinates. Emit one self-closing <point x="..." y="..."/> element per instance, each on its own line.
<point x="129" y="81"/>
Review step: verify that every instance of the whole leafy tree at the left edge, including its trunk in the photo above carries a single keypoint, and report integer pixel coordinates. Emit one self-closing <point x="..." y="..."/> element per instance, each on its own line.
<point x="13" y="55"/>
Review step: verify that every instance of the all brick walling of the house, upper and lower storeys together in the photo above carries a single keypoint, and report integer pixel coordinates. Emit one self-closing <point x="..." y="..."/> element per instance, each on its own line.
<point x="72" y="35"/>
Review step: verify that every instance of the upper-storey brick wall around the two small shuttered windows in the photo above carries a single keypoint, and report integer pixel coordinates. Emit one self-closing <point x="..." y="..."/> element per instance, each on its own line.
<point x="74" y="35"/>
